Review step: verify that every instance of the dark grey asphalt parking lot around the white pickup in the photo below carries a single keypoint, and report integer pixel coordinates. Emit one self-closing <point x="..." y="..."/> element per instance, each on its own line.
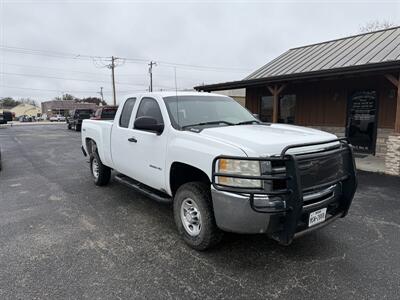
<point x="63" y="237"/>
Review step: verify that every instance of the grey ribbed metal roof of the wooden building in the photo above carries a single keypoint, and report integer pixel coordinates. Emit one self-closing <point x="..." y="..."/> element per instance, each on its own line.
<point x="370" y="49"/>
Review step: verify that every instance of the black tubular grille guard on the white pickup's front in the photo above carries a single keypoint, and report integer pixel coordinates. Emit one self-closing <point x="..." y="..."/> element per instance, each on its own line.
<point x="293" y="193"/>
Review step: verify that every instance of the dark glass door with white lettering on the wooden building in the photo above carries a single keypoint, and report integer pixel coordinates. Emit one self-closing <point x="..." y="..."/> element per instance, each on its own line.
<point x="361" y="120"/>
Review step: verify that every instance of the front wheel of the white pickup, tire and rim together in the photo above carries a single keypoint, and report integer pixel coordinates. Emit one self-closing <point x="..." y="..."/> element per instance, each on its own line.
<point x="194" y="216"/>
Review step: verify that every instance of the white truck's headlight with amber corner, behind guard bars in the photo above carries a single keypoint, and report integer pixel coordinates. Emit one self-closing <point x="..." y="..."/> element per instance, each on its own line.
<point x="239" y="167"/>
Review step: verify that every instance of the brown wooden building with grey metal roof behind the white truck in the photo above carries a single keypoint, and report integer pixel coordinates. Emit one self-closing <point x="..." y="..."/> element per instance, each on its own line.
<point x="349" y="86"/>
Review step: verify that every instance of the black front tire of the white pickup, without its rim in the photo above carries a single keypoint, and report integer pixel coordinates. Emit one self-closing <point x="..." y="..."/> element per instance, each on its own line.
<point x="210" y="234"/>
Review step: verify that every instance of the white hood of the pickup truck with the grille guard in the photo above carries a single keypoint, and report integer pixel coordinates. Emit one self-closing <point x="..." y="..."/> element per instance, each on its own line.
<point x="266" y="140"/>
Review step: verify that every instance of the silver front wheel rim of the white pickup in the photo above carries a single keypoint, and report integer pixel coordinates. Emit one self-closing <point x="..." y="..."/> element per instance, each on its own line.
<point x="191" y="217"/>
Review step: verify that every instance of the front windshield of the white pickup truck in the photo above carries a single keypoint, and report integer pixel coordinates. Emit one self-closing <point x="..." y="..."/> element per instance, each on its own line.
<point x="187" y="111"/>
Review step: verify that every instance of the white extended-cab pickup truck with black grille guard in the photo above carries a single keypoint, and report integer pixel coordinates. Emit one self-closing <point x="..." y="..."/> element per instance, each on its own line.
<point x="222" y="169"/>
